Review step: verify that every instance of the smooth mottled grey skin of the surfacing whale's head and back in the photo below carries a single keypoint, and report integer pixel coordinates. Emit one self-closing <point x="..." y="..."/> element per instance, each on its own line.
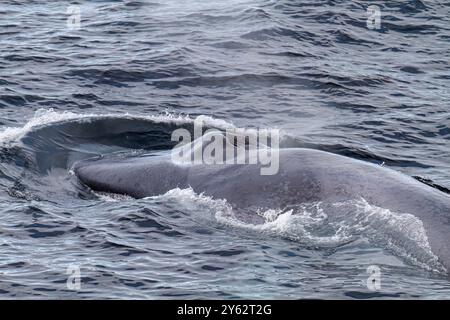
<point x="304" y="175"/>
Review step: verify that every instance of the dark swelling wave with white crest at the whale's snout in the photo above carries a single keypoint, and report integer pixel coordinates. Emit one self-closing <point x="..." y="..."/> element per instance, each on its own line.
<point x="35" y="159"/>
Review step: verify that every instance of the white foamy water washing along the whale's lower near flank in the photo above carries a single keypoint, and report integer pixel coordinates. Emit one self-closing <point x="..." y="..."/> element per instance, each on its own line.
<point x="323" y="225"/>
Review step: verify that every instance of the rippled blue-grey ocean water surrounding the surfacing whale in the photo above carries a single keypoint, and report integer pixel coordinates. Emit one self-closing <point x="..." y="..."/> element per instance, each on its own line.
<point x="133" y="71"/>
